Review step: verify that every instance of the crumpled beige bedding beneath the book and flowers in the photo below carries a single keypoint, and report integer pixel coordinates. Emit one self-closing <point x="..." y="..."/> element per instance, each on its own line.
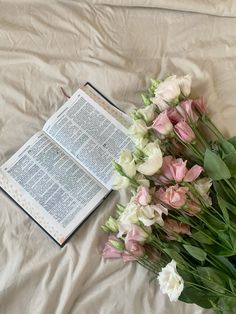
<point x="117" y="46"/>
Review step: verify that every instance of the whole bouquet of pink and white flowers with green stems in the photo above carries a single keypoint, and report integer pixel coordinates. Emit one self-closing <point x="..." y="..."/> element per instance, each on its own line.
<point x="180" y="222"/>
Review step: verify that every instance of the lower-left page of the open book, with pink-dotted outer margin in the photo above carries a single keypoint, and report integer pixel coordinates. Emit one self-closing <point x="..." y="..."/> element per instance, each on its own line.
<point x="51" y="186"/>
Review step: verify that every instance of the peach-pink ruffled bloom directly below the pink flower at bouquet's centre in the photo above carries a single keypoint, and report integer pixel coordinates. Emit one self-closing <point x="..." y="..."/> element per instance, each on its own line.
<point x="174" y="196"/>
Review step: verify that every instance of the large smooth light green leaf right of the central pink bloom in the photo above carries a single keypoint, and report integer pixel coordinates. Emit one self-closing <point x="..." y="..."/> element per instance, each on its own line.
<point x="215" y="166"/>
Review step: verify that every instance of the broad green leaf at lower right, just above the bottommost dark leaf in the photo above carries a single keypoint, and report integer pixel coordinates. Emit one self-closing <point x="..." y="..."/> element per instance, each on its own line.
<point x="213" y="279"/>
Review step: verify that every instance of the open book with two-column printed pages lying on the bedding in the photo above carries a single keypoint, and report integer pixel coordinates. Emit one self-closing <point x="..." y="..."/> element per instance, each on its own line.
<point x="64" y="171"/>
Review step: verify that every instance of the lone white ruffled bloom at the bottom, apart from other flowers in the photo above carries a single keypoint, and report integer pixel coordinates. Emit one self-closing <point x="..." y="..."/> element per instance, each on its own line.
<point x="170" y="281"/>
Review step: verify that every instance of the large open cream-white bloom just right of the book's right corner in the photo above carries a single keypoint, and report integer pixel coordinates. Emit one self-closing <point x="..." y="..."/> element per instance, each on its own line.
<point x="153" y="162"/>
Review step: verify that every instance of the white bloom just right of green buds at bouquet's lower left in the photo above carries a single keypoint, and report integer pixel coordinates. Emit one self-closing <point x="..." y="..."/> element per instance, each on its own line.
<point x="127" y="218"/>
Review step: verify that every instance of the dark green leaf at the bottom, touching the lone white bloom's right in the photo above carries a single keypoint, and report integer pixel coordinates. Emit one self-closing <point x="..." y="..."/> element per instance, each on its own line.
<point x="198" y="296"/>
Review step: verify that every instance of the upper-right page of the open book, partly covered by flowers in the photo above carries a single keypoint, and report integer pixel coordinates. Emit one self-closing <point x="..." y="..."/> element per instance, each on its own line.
<point x="89" y="134"/>
